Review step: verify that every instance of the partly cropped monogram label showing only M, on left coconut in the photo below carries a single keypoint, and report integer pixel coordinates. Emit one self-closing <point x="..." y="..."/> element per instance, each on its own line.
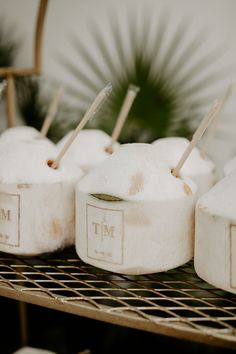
<point x="9" y="219"/>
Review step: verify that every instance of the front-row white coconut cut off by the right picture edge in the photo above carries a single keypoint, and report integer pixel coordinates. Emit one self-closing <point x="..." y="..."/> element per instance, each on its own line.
<point x="215" y="238"/>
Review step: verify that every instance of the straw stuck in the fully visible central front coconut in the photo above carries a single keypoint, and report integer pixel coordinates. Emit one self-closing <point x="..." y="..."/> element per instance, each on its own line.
<point x="197" y="136"/>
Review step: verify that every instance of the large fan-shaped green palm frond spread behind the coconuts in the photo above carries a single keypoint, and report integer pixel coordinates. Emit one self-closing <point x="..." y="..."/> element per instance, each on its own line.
<point x="175" y="81"/>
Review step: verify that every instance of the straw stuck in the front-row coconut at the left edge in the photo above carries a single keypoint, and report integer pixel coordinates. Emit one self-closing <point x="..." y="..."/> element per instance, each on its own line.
<point x="97" y="103"/>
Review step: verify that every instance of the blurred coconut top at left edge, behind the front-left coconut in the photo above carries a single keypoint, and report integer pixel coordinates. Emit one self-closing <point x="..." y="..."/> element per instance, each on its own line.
<point x="22" y="133"/>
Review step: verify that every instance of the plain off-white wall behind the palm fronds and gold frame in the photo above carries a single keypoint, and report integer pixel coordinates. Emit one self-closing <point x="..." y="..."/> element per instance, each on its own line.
<point x="66" y="17"/>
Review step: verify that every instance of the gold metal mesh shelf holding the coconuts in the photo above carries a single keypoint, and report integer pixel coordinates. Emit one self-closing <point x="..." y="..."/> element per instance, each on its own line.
<point x="175" y="303"/>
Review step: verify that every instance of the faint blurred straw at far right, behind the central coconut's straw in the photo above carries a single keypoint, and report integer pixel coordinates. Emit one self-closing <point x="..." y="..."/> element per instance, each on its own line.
<point x="214" y="124"/>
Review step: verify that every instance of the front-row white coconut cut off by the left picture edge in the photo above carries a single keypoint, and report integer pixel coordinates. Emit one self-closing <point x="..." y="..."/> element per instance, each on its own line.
<point x="36" y="201"/>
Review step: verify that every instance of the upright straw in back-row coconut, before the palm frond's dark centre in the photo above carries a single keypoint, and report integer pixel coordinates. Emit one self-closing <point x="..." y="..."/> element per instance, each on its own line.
<point x="128" y="101"/>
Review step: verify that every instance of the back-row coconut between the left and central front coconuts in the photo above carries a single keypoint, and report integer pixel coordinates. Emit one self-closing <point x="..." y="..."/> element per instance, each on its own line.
<point x="88" y="149"/>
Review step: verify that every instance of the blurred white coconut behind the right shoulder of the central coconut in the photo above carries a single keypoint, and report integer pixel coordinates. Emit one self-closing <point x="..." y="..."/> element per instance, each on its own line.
<point x="200" y="170"/>
